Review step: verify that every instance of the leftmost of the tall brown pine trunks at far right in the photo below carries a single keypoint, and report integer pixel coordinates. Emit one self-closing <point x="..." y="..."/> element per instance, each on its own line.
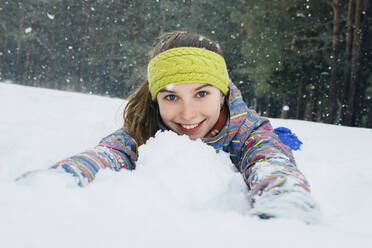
<point x="332" y="104"/>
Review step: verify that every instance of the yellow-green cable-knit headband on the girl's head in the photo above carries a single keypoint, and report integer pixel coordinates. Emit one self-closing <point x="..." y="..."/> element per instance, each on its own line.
<point x="187" y="65"/>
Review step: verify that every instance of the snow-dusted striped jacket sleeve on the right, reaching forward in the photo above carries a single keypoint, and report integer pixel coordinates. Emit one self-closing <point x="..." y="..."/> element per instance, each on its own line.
<point x="266" y="163"/>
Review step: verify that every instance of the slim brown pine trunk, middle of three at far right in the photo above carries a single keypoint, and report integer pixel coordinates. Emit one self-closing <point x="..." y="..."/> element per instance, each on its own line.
<point x="347" y="69"/>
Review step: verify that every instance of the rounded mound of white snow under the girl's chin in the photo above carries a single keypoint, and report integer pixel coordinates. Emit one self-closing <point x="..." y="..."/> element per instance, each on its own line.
<point x="190" y="174"/>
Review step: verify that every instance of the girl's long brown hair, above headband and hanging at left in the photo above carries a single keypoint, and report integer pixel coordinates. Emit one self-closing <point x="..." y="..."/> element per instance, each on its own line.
<point x="141" y="115"/>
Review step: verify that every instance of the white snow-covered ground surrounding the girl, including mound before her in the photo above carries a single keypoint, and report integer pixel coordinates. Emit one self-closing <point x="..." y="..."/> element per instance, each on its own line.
<point x="182" y="193"/>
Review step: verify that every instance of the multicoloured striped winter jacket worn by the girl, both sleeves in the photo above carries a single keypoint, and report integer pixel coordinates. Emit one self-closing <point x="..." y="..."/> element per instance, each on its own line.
<point x="254" y="149"/>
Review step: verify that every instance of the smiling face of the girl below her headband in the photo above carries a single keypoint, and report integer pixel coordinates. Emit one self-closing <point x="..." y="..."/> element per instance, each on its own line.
<point x="190" y="108"/>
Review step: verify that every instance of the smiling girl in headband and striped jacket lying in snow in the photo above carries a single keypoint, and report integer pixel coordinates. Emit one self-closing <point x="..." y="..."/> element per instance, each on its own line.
<point x="188" y="91"/>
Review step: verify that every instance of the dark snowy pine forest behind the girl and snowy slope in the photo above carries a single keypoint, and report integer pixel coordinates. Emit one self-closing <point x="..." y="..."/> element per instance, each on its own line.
<point x="308" y="59"/>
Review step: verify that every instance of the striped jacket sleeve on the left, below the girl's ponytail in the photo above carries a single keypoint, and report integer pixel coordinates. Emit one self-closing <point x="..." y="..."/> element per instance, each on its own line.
<point x="116" y="151"/>
